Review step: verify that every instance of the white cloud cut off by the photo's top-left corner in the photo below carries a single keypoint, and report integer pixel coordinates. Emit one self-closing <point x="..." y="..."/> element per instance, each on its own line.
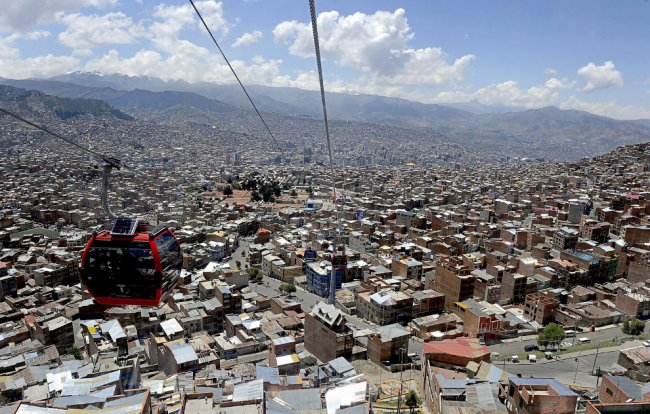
<point x="21" y="15"/>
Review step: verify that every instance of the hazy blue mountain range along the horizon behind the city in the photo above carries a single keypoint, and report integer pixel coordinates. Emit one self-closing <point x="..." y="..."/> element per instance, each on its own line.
<point x="548" y="133"/>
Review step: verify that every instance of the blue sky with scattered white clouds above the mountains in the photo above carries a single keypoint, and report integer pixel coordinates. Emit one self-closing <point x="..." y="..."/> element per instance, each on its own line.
<point x="575" y="54"/>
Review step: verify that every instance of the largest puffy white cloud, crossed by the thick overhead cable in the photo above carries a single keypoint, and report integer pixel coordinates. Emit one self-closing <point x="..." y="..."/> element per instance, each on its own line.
<point x="376" y="44"/>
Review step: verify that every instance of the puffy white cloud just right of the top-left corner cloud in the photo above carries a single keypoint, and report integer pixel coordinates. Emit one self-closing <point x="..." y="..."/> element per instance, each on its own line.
<point x="84" y="32"/>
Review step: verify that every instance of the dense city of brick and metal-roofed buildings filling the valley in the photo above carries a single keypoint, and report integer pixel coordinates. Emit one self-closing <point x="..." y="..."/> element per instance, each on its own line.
<point x="499" y="286"/>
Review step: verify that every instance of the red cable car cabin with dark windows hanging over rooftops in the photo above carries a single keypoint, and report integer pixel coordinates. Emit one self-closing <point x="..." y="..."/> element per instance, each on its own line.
<point x="133" y="264"/>
